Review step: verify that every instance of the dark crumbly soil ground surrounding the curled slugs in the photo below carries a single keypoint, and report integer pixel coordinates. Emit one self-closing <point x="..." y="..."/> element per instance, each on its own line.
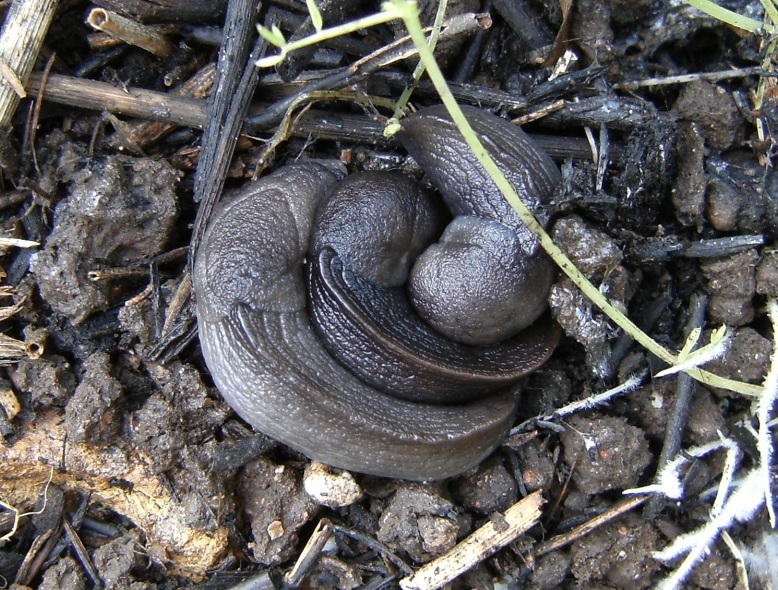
<point x="682" y="203"/>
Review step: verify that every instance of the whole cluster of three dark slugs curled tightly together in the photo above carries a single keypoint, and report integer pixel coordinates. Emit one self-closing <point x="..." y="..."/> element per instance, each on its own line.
<point x="312" y="337"/>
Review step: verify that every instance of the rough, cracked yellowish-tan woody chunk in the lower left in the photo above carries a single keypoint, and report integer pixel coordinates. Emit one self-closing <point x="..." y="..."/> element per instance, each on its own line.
<point x="183" y="550"/>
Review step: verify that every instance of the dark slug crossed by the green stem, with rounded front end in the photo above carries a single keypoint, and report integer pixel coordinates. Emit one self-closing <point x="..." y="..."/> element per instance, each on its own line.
<point x="487" y="307"/>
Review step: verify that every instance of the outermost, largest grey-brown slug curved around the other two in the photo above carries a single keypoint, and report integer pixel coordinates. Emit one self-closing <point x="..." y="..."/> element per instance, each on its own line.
<point x="271" y="368"/>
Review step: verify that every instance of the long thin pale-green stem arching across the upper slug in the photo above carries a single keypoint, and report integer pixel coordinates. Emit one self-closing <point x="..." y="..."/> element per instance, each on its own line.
<point x="413" y="25"/>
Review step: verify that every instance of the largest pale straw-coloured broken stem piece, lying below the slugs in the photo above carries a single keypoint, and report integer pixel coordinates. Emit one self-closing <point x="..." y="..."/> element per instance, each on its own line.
<point x="483" y="543"/>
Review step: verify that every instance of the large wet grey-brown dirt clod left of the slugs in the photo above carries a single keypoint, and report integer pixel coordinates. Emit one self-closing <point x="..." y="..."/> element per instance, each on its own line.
<point x="120" y="210"/>
